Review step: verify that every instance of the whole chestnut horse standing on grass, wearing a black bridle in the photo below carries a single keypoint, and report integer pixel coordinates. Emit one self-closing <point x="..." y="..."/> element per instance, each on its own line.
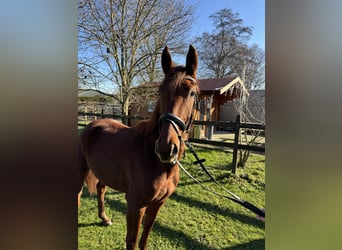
<point x="141" y="161"/>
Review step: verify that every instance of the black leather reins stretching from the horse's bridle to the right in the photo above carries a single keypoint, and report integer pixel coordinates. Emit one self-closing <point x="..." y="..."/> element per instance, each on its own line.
<point x="235" y="198"/>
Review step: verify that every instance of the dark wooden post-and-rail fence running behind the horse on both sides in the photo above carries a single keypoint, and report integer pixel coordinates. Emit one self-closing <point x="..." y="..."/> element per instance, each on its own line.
<point x="235" y="126"/>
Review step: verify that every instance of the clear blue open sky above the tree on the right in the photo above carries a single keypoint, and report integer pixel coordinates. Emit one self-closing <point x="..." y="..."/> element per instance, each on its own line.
<point x="252" y="12"/>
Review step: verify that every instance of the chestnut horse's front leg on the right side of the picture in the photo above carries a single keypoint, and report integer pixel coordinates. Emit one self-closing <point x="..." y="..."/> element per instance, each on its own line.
<point x="150" y="216"/>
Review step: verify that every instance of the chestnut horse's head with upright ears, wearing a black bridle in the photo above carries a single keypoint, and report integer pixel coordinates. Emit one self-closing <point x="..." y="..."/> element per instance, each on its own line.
<point x="178" y="95"/>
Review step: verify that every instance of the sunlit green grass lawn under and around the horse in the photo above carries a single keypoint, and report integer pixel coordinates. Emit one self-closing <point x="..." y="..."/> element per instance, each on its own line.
<point x="192" y="218"/>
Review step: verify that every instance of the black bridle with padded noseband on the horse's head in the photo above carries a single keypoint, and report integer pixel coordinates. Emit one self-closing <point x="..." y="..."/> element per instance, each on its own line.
<point x="177" y="123"/>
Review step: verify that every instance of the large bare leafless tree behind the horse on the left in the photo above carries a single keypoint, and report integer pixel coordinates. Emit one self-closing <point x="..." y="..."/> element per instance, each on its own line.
<point x="121" y="40"/>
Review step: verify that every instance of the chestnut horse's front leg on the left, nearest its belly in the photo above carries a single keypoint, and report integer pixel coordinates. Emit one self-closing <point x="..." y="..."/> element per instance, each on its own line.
<point x="134" y="217"/>
